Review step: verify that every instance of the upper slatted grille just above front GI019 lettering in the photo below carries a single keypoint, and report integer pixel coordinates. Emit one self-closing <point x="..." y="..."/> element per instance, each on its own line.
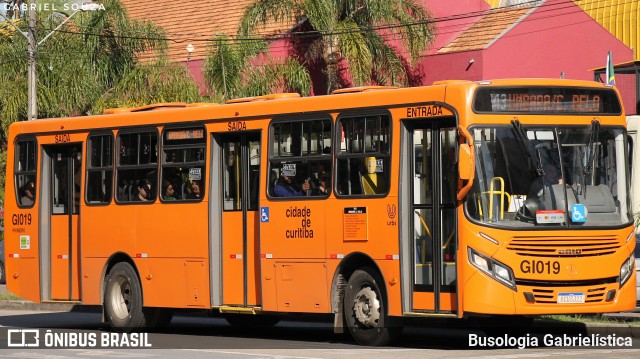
<point x="564" y="246"/>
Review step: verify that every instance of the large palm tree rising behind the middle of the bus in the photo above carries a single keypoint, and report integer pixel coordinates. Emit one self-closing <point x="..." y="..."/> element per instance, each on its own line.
<point x="367" y="39"/>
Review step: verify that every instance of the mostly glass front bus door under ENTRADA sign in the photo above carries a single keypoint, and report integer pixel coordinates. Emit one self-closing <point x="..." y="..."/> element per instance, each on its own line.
<point x="432" y="200"/>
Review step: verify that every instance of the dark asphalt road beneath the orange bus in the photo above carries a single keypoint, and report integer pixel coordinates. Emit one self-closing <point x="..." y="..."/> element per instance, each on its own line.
<point x="199" y="336"/>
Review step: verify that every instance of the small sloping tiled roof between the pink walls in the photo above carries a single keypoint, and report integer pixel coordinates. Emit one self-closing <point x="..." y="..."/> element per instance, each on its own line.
<point x="488" y="28"/>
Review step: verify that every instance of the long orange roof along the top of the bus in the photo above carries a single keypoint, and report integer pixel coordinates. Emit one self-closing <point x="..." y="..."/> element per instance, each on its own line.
<point x="274" y="105"/>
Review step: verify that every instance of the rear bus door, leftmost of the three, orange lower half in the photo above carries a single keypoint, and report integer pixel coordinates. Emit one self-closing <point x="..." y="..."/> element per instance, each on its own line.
<point x="64" y="184"/>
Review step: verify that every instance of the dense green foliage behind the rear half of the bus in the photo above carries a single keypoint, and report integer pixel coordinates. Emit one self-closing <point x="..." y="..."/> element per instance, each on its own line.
<point x="89" y="63"/>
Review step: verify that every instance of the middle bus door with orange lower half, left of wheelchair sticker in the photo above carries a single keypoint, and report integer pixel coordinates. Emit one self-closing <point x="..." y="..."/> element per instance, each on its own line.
<point x="240" y="179"/>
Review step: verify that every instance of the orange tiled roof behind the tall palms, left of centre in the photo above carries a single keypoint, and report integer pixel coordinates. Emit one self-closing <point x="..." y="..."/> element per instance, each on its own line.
<point x="193" y="22"/>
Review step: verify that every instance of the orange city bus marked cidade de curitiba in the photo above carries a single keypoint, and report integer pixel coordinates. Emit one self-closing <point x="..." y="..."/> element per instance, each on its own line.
<point x="370" y="204"/>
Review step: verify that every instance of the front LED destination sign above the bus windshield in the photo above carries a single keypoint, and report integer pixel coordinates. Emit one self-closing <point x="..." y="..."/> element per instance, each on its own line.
<point x="569" y="100"/>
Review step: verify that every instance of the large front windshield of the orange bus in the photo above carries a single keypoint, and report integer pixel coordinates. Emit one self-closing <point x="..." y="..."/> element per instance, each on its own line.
<point x="550" y="176"/>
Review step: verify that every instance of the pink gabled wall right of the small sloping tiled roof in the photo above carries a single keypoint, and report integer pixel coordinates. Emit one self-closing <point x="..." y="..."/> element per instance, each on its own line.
<point x="555" y="38"/>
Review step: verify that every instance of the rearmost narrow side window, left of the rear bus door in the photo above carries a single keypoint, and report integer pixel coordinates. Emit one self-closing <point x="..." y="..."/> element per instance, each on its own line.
<point x="25" y="172"/>
